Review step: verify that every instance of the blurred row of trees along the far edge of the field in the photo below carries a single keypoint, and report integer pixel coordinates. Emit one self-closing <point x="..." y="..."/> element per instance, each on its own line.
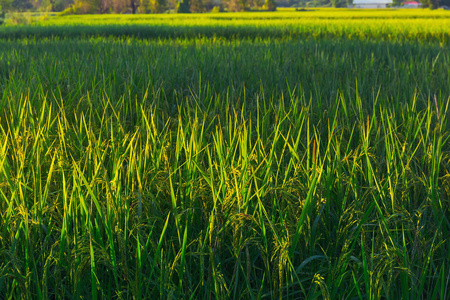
<point x="179" y="6"/>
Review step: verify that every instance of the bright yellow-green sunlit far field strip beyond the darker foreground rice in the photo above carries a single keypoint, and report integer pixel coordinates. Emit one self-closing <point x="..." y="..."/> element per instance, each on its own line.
<point x="389" y="25"/>
